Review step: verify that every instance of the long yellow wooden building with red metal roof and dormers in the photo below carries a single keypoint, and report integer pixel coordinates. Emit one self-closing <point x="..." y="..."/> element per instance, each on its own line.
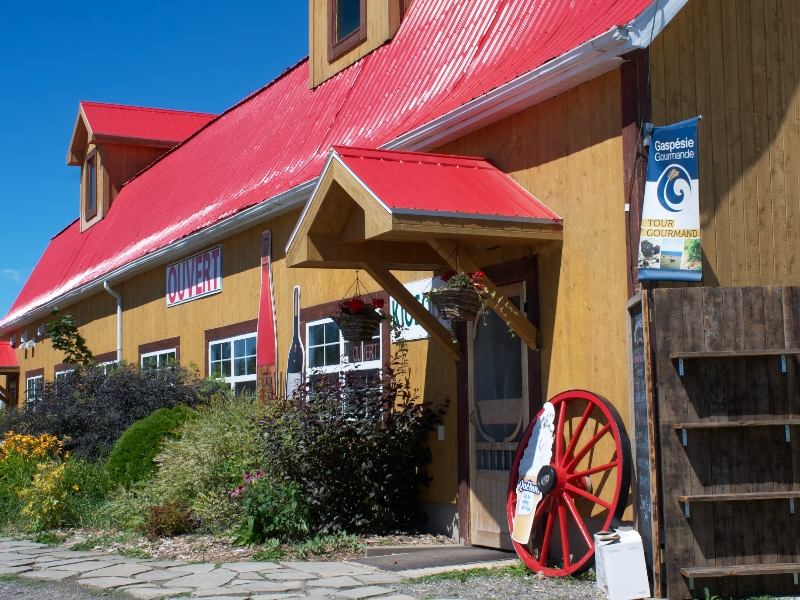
<point x="554" y="95"/>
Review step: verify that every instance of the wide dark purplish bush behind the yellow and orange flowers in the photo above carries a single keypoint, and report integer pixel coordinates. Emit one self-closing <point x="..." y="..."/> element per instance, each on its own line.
<point x="89" y="409"/>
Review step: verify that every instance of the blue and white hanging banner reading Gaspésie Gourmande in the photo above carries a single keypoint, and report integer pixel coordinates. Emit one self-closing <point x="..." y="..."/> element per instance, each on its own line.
<point x="669" y="245"/>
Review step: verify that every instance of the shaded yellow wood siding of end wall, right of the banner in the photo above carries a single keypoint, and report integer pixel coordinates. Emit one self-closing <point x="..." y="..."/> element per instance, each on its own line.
<point x="737" y="63"/>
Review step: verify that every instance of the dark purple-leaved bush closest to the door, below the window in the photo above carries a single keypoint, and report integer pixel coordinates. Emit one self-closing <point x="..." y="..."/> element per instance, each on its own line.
<point x="358" y="448"/>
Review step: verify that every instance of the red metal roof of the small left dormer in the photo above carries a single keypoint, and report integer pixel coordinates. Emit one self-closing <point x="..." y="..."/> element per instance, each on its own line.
<point x="137" y="122"/>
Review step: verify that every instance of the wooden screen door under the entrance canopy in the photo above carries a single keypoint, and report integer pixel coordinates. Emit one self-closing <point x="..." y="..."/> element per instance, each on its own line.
<point x="498" y="406"/>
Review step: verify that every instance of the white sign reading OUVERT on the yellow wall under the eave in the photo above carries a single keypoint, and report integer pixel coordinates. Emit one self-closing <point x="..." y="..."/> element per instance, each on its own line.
<point x="195" y="277"/>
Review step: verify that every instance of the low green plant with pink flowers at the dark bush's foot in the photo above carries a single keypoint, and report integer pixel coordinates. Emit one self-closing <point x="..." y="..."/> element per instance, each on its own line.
<point x="273" y="510"/>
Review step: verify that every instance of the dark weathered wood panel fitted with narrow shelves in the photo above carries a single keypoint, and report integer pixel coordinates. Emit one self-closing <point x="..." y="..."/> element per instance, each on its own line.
<point x="735" y="531"/>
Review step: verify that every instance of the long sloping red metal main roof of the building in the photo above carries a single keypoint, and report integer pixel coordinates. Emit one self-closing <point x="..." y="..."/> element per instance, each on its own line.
<point x="446" y="53"/>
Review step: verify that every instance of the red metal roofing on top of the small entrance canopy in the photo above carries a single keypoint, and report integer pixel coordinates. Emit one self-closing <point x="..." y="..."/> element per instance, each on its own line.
<point x="424" y="183"/>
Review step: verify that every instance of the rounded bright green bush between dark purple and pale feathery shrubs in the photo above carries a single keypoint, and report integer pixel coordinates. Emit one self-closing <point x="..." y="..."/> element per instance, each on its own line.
<point x="131" y="459"/>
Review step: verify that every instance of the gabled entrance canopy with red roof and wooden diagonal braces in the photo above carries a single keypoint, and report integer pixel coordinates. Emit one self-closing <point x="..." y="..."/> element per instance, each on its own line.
<point x="381" y="210"/>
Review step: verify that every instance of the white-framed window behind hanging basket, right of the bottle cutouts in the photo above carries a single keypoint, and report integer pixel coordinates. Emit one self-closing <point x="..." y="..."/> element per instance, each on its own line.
<point x="328" y="352"/>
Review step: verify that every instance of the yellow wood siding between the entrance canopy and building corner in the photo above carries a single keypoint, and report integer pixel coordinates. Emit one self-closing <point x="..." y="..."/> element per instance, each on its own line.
<point x="568" y="153"/>
